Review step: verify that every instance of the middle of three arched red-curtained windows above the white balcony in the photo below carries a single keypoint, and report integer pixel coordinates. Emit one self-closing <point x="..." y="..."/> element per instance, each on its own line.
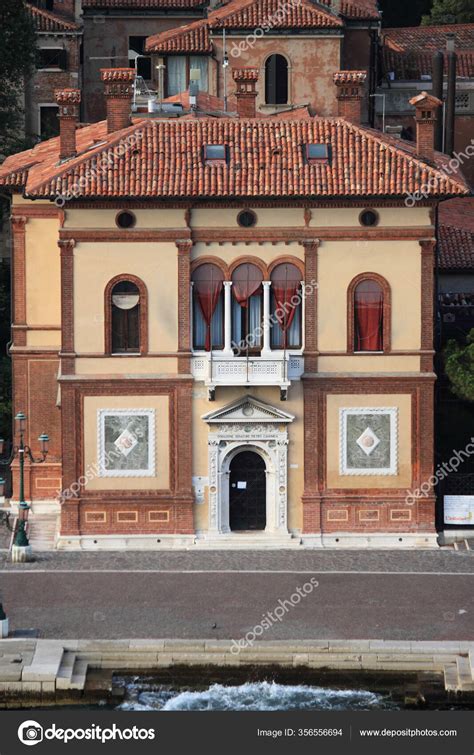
<point x="247" y="310"/>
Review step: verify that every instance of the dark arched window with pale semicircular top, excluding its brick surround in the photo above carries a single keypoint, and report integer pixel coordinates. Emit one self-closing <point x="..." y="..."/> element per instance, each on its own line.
<point x="125" y="306"/>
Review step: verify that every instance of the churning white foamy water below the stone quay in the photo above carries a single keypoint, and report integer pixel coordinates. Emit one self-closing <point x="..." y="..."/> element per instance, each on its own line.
<point x="257" y="696"/>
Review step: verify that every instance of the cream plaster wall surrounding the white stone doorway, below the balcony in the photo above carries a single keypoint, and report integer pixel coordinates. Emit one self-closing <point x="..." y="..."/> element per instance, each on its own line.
<point x="224" y="396"/>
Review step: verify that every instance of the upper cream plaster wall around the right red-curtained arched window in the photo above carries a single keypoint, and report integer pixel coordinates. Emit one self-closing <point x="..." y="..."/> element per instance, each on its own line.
<point x="397" y="261"/>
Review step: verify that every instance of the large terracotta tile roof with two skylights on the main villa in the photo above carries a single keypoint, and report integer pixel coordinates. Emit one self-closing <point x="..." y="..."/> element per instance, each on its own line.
<point x="266" y="159"/>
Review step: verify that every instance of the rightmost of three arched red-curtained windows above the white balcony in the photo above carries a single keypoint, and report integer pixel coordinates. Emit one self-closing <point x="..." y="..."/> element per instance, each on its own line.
<point x="286" y="307"/>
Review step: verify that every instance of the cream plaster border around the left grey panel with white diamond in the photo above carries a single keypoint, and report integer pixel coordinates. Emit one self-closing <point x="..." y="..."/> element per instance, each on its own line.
<point x="92" y="404"/>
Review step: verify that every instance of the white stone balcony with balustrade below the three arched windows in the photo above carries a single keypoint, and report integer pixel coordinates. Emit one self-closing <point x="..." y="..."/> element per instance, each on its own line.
<point x="277" y="368"/>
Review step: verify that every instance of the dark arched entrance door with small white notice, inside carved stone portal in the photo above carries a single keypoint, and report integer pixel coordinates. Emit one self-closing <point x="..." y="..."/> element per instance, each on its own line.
<point x="247" y="492"/>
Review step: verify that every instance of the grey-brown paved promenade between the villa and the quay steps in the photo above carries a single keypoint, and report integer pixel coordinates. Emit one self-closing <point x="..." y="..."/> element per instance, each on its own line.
<point x="384" y="595"/>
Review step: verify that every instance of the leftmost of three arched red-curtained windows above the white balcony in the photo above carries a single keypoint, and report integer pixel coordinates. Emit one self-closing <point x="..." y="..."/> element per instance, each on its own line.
<point x="208" y="307"/>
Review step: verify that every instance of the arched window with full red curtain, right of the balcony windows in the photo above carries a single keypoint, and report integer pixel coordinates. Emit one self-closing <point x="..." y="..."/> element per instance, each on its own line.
<point x="368" y="316"/>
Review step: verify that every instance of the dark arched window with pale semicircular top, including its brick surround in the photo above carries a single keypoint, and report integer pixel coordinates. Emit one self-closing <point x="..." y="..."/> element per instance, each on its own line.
<point x="126" y="316"/>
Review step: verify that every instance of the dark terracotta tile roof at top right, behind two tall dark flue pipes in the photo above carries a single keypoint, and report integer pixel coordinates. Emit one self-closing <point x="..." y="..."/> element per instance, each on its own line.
<point x="408" y="52"/>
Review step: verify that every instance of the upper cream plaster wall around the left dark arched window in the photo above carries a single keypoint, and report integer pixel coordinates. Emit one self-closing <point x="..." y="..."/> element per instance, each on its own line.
<point x="96" y="263"/>
